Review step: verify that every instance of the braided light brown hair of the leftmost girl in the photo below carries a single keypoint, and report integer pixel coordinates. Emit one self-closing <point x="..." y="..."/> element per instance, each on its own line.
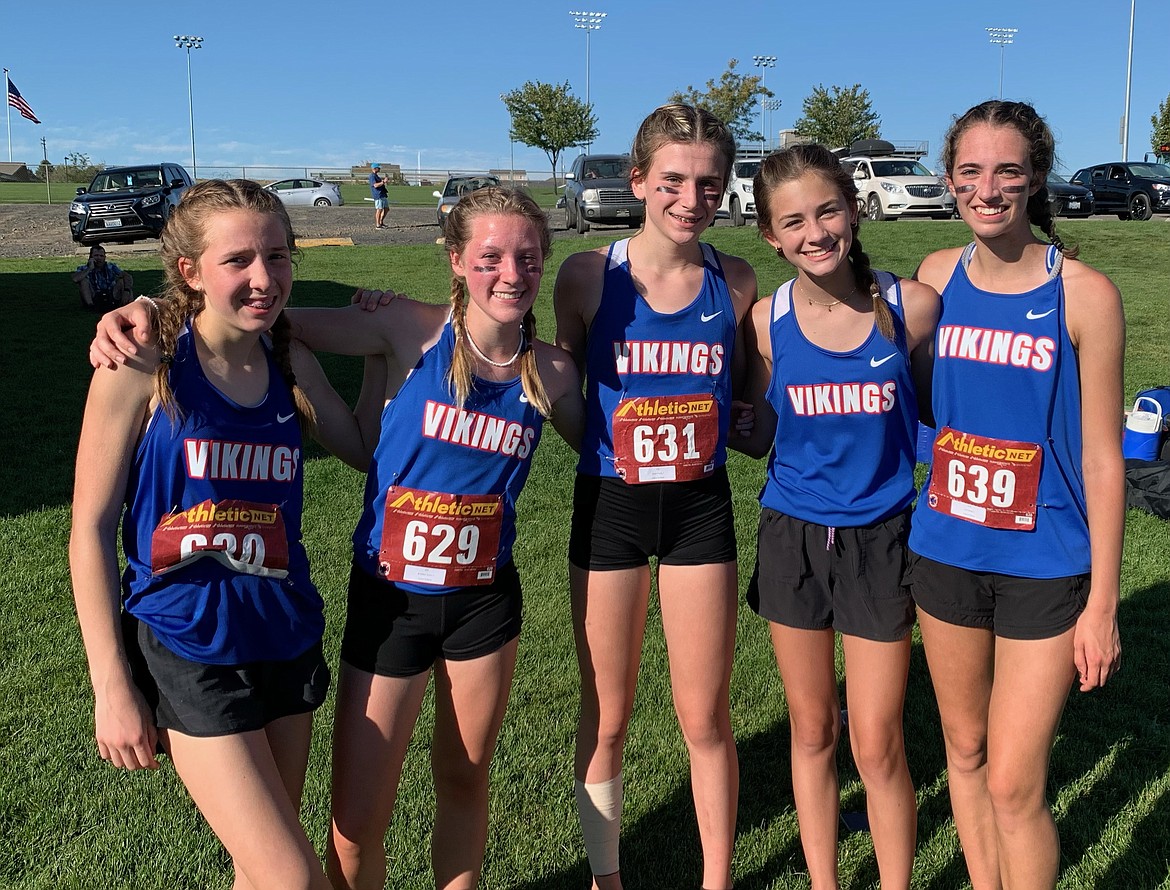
<point x="185" y="236"/>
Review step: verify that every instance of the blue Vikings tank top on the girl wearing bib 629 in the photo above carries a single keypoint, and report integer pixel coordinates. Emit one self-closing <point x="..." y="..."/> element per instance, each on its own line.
<point x="430" y="445"/>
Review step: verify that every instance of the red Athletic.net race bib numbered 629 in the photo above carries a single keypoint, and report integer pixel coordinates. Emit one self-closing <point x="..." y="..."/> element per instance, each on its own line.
<point x="448" y="541"/>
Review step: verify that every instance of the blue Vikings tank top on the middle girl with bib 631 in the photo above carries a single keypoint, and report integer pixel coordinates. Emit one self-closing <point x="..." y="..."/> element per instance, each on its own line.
<point x="636" y="353"/>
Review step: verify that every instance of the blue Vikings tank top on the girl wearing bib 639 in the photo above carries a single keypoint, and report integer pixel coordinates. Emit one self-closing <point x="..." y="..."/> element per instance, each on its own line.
<point x="1006" y="369"/>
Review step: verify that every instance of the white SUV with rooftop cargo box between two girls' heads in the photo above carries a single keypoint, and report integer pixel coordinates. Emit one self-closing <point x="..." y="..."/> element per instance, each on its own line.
<point x="893" y="188"/>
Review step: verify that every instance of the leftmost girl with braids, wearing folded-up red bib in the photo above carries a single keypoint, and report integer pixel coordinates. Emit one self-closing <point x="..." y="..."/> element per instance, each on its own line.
<point x="216" y="657"/>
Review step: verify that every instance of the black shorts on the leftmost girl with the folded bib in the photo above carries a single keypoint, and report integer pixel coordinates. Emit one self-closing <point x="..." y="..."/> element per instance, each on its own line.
<point x="221" y="700"/>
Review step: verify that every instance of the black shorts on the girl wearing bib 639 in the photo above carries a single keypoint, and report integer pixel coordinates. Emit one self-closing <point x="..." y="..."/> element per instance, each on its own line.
<point x="1014" y="608"/>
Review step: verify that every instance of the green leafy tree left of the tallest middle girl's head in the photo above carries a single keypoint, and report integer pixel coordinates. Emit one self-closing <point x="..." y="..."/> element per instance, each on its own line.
<point x="548" y="118"/>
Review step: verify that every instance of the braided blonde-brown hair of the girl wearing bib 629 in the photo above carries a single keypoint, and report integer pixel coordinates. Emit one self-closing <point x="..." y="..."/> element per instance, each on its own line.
<point x="495" y="202"/>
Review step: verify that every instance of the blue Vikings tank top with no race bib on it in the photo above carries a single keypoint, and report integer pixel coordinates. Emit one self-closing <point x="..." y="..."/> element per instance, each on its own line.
<point x="845" y="422"/>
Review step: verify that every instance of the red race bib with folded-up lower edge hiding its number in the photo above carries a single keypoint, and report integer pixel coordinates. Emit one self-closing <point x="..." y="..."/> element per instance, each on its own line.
<point x="242" y="535"/>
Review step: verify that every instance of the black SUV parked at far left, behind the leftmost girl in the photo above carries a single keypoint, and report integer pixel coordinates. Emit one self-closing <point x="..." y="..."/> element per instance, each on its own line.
<point x="127" y="204"/>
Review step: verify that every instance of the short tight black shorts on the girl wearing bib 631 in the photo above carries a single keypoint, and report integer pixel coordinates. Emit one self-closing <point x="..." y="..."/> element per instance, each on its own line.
<point x="618" y="526"/>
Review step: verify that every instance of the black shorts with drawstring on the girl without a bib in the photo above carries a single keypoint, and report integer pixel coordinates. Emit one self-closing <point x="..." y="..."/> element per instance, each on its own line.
<point x="814" y="577"/>
